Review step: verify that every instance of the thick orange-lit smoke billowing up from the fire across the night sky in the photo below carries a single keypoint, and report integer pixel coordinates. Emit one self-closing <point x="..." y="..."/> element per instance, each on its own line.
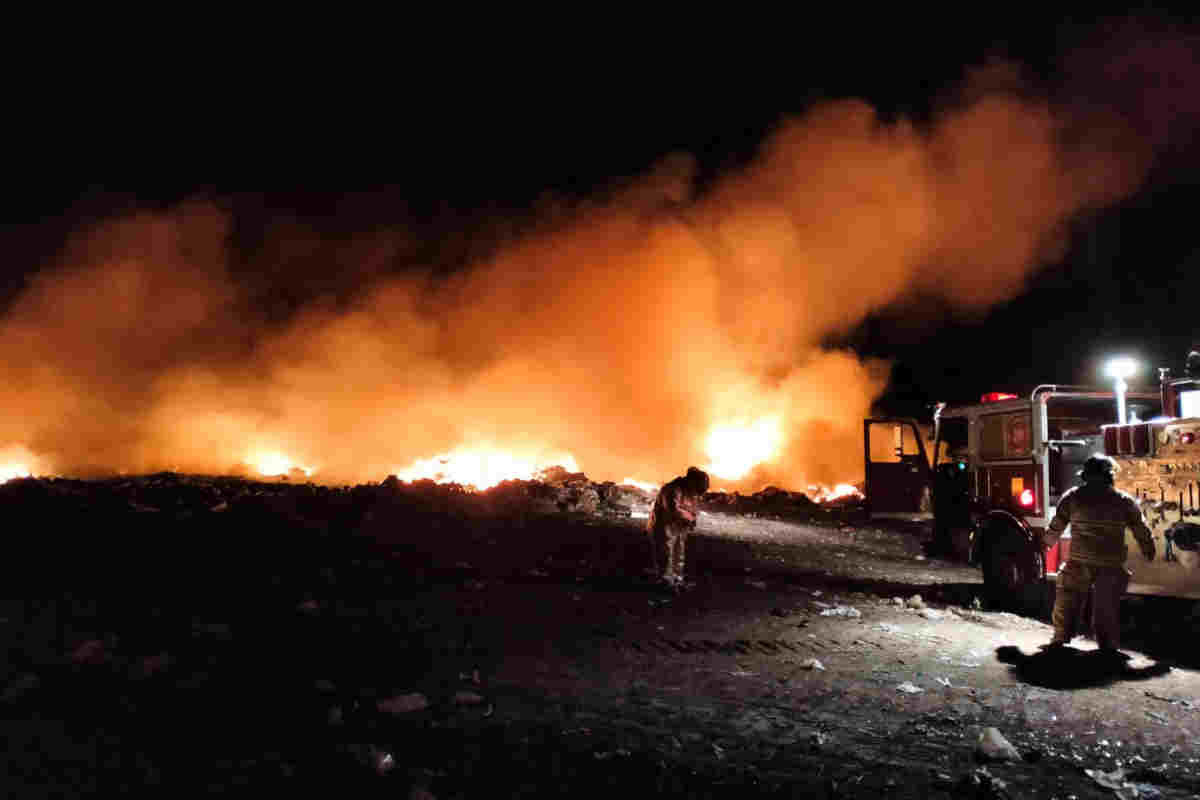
<point x="622" y="332"/>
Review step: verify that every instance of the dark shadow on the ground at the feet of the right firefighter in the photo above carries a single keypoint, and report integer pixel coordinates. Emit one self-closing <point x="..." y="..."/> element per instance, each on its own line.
<point x="1064" y="669"/>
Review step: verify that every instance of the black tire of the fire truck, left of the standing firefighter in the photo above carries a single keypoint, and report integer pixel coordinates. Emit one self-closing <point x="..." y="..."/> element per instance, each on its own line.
<point x="1013" y="570"/>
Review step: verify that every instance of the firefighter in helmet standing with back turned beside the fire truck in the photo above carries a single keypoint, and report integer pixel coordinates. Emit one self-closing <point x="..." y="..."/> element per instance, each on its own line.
<point x="1099" y="516"/>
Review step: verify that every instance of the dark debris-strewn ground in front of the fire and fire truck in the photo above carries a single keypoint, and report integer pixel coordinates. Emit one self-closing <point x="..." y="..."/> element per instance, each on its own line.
<point x="167" y="633"/>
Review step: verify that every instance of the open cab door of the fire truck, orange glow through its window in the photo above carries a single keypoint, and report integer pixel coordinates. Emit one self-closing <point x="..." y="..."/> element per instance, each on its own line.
<point x="898" y="473"/>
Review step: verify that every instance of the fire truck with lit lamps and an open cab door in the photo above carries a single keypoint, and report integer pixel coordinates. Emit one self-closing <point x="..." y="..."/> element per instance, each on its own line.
<point x="997" y="470"/>
